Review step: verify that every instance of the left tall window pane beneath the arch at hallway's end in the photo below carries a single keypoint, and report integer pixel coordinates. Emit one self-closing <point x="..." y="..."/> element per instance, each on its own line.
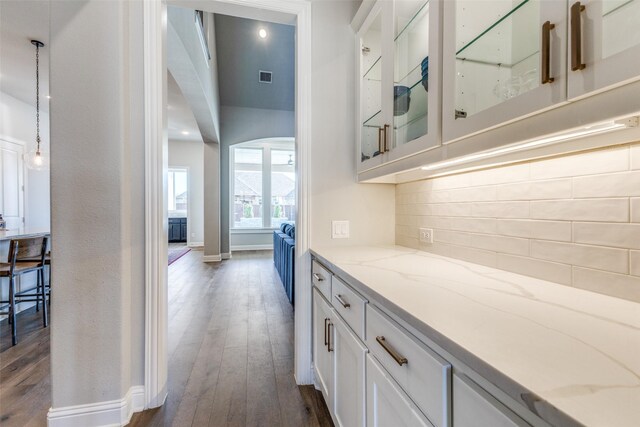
<point x="247" y="188"/>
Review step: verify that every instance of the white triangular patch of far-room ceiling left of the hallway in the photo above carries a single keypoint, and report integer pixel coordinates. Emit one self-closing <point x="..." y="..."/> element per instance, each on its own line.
<point x="182" y="124"/>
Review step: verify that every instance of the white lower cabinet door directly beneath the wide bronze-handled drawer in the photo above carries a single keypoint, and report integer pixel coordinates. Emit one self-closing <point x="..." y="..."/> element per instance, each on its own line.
<point x="387" y="404"/>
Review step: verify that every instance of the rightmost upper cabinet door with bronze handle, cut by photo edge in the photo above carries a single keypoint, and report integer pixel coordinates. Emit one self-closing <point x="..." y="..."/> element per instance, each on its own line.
<point x="604" y="45"/>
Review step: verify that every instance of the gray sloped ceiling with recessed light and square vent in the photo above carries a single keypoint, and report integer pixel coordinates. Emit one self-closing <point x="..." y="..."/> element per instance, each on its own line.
<point x="242" y="53"/>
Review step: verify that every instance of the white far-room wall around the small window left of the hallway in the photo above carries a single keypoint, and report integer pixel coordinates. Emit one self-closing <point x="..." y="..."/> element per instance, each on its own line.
<point x="189" y="154"/>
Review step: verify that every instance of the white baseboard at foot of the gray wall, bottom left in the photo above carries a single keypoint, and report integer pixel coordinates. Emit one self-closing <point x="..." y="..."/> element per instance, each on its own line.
<point x="110" y="413"/>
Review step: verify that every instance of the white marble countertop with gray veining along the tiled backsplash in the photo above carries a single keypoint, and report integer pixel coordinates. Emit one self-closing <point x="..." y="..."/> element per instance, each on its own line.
<point x="571" y="356"/>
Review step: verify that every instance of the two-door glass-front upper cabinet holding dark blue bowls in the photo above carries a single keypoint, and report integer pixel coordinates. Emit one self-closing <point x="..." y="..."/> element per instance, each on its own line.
<point x="399" y="71"/>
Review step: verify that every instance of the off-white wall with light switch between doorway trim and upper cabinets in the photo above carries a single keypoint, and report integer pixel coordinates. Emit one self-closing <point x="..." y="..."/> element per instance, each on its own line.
<point x="335" y="195"/>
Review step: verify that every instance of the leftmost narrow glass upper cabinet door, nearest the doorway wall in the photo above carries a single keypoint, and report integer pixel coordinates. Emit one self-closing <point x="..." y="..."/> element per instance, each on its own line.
<point x="372" y="114"/>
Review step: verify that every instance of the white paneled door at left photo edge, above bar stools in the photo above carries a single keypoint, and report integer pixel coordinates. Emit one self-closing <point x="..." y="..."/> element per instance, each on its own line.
<point x="11" y="184"/>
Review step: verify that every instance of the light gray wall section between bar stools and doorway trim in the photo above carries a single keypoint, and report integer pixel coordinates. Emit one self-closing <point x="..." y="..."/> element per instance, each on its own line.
<point x="97" y="189"/>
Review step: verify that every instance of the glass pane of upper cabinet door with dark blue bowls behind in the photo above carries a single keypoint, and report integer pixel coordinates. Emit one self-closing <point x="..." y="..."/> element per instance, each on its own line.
<point x="411" y="71"/>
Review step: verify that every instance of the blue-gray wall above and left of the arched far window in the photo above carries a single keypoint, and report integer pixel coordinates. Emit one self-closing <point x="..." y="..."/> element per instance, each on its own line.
<point x="242" y="125"/>
